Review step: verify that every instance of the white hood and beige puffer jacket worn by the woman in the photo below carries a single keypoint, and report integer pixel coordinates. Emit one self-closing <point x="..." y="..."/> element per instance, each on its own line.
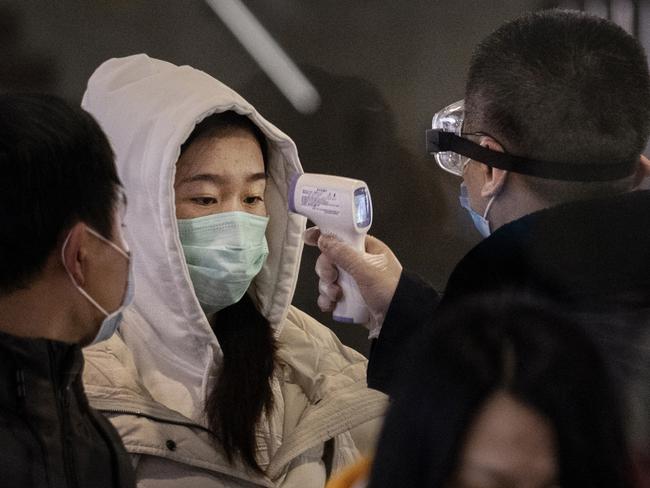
<point x="152" y="378"/>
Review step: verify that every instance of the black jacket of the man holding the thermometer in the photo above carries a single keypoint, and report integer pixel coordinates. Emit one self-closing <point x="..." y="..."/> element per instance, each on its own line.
<point x="592" y="256"/>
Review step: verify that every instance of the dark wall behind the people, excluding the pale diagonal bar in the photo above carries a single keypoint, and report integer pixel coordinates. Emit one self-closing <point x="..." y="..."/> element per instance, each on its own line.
<point x="382" y="69"/>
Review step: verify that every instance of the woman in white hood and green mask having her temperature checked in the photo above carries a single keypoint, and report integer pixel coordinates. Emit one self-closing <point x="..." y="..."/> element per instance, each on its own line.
<point x="214" y="380"/>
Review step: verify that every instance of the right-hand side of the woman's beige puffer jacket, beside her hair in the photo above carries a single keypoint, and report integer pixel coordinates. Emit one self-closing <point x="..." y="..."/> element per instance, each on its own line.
<point x="338" y="409"/>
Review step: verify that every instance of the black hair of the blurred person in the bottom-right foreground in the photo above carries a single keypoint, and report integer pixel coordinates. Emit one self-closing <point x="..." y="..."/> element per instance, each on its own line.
<point x="540" y="356"/>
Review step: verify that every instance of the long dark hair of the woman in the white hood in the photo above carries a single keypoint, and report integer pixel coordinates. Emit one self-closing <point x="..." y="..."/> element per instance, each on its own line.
<point x="242" y="393"/>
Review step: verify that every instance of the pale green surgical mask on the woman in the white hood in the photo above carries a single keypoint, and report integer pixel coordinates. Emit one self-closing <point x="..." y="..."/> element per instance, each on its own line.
<point x="224" y="252"/>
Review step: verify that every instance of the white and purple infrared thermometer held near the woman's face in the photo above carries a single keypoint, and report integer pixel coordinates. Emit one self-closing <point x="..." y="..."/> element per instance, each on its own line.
<point x="340" y="207"/>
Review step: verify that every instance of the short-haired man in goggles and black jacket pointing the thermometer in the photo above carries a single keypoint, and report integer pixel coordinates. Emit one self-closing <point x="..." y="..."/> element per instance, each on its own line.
<point x="548" y="141"/>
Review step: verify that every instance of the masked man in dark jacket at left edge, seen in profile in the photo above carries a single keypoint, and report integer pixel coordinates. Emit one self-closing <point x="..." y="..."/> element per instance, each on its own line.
<point x="64" y="282"/>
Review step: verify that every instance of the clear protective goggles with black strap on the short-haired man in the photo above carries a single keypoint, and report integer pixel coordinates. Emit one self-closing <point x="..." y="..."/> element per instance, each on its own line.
<point x="452" y="152"/>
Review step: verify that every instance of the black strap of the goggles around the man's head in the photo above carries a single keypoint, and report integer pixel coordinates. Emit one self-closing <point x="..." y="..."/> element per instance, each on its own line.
<point x="440" y="141"/>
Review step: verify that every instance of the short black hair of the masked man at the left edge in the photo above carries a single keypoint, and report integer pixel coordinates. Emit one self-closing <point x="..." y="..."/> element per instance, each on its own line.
<point x="56" y="168"/>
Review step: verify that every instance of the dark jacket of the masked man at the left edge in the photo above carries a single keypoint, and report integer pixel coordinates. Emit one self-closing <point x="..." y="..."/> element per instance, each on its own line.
<point x="49" y="435"/>
